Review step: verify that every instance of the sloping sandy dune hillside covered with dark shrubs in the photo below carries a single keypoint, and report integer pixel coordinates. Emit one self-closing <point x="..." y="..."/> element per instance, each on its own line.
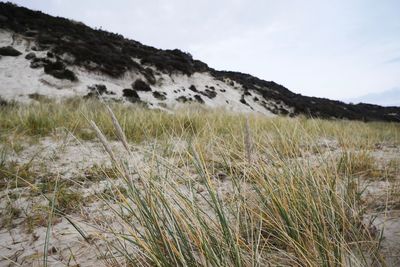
<point x="57" y="57"/>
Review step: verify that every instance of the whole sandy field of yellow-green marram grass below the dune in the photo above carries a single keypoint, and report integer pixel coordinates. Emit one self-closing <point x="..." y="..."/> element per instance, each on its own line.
<point x="201" y="187"/>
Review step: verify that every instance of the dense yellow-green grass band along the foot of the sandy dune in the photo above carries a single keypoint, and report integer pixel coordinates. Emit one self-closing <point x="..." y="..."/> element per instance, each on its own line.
<point x="141" y="124"/>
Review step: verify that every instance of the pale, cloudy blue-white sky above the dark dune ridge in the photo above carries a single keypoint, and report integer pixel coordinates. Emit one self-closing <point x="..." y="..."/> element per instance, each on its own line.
<point x="339" y="49"/>
